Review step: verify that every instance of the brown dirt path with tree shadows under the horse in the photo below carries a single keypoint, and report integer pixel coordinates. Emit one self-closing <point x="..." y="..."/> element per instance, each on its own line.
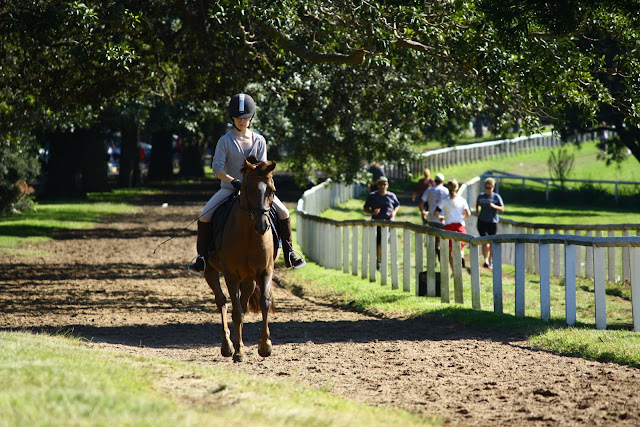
<point x="107" y="285"/>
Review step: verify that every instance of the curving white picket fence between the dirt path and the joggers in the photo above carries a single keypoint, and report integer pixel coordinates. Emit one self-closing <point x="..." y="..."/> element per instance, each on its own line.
<point x="542" y="249"/>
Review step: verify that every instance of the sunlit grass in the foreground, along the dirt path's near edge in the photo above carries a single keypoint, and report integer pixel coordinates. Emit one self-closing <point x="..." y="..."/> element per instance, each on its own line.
<point x="55" y="380"/>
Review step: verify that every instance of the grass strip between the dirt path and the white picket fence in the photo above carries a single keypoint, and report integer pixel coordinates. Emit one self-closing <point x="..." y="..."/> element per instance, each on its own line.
<point x="617" y="344"/>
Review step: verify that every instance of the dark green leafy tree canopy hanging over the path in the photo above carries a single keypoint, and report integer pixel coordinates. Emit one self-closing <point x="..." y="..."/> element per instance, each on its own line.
<point x="338" y="82"/>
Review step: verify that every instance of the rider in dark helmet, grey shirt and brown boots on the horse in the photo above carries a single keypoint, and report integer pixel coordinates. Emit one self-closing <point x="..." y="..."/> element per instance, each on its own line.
<point x="231" y="151"/>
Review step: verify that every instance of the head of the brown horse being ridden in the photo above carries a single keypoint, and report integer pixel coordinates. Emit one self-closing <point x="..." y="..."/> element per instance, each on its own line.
<point x="257" y="191"/>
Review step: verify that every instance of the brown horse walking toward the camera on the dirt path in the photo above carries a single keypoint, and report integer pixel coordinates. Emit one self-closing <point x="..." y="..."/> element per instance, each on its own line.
<point x="245" y="258"/>
